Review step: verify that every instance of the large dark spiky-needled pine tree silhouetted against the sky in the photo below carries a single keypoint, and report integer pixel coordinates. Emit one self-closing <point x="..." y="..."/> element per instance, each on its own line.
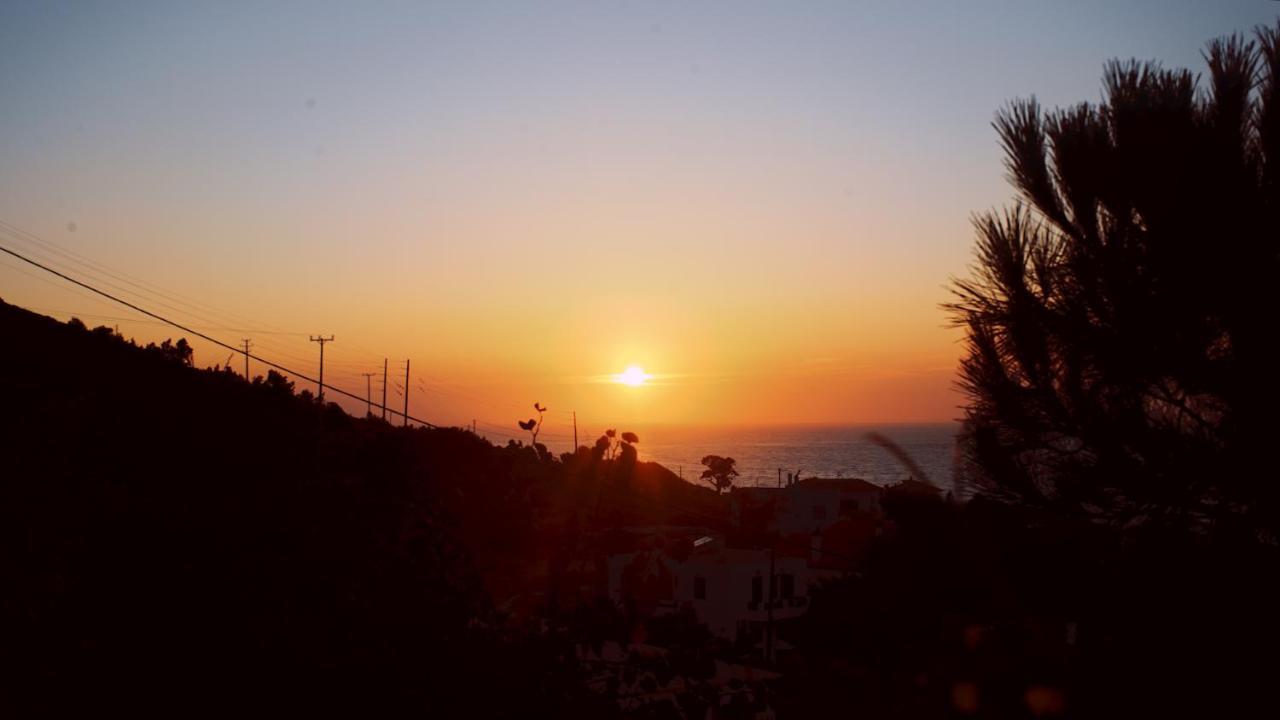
<point x="1122" y="348"/>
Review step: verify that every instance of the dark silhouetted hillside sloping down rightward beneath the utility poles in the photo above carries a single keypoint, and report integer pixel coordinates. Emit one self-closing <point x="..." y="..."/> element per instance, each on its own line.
<point x="186" y="541"/>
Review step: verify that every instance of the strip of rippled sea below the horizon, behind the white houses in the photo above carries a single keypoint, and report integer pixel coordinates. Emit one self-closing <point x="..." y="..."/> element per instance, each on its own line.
<point x="817" y="452"/>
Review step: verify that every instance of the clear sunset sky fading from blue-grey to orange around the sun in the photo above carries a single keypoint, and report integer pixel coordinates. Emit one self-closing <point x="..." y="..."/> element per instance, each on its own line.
<point x="761" y="204"/>
